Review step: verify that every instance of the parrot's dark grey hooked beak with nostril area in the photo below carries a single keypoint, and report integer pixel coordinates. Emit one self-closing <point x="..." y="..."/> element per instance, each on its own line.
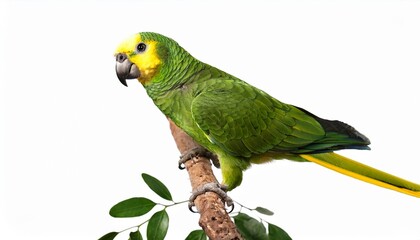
<point x="125" y="69"/>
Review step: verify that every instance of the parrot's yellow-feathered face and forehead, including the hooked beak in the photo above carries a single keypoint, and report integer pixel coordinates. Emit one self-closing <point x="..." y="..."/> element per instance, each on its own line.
<point x="138" y="58"/>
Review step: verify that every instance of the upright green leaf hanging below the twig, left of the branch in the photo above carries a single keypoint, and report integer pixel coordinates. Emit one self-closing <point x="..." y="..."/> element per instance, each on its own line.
<point x="158" y="226"/>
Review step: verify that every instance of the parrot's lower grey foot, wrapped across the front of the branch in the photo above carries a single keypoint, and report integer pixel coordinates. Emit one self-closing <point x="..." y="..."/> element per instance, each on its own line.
<point x="211" y="187"/>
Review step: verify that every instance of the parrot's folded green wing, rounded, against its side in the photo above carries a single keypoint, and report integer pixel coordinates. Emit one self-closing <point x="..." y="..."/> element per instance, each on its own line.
<point x="244" y="121"/>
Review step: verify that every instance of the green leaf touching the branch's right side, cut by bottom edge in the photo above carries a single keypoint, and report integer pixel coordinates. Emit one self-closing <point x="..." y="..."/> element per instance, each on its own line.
<point x="249" y="227"/>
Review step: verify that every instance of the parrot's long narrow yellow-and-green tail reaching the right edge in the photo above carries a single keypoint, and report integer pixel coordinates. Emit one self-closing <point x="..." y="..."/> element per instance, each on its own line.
<point x="363" y="172"/>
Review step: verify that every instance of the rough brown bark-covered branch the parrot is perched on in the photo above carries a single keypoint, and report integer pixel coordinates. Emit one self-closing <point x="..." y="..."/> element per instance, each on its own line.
<point x="214" y="219"/>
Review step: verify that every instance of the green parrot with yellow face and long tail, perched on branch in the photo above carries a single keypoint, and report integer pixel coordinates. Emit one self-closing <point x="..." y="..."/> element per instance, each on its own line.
<point x="238" y="122"/>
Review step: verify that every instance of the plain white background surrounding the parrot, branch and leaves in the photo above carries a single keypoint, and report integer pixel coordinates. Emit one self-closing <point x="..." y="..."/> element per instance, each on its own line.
<point x="75" y="141"/>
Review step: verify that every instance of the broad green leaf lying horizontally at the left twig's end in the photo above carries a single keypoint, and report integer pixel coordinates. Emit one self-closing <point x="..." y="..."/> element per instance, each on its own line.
<point x="132" y="207"/>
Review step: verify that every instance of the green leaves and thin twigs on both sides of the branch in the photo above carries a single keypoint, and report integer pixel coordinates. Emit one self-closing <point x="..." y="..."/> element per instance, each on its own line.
<point x="158" y="224"/>
